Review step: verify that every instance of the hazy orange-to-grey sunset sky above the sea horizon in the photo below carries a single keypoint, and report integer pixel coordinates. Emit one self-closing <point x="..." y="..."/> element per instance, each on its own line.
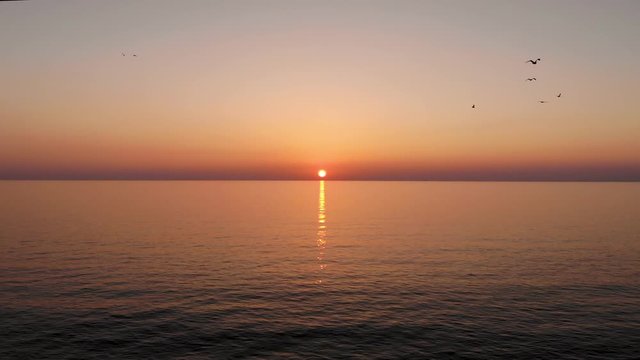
<point x="275" y="89"/>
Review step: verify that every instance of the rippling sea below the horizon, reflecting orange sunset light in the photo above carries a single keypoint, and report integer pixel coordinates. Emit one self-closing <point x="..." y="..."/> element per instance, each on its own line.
<point x="95" y="270"/>
